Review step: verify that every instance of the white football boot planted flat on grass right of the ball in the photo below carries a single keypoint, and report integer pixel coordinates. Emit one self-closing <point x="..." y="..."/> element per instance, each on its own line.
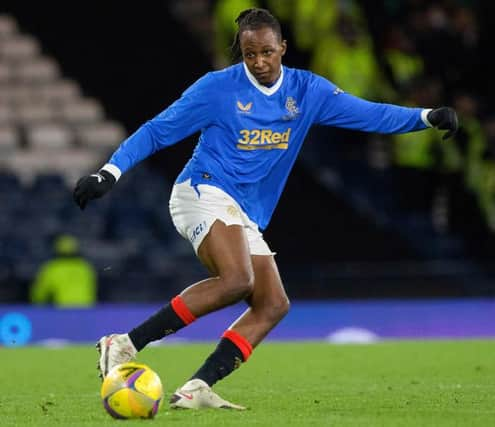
<point x="196" y="394"/>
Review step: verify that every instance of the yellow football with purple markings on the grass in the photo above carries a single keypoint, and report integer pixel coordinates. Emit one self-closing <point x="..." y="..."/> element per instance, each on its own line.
<point x="132" y="390"/>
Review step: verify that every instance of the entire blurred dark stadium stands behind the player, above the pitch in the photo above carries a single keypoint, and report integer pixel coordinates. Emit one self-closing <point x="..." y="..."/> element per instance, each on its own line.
<point x="364" y="217"/>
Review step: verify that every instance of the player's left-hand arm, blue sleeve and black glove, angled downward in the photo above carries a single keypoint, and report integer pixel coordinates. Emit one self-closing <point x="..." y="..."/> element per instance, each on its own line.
<point x="190" y="113"/>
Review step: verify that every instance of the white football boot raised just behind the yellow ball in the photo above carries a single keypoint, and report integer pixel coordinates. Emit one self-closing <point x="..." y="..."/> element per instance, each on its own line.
<point x="114" y="349"/>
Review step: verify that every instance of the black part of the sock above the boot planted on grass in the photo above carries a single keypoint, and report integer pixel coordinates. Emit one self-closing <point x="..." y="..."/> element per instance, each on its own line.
<point x="226" y="357"/>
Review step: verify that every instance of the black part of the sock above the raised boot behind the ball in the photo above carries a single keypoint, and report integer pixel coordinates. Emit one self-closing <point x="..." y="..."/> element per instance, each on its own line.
<point x="164" y="322"/>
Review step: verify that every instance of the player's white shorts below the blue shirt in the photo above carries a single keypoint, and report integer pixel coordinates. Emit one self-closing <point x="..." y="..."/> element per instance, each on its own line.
<point x="194" y="210"/>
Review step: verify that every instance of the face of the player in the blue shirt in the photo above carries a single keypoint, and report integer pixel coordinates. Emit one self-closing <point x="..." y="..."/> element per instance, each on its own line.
<point x="262" y="51"/>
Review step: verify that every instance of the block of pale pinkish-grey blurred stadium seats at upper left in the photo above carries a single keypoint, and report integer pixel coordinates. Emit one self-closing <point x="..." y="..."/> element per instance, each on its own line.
<point x="46" y="123"/>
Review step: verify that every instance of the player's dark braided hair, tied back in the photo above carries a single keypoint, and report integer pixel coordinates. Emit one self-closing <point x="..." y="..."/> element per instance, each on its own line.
<point x="253" y="19"/>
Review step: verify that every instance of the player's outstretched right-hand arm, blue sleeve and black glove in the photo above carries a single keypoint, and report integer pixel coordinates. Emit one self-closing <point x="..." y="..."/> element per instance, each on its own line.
<point x="340" y="109"/>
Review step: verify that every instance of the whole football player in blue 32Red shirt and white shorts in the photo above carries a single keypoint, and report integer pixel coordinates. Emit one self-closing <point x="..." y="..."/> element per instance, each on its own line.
<point x="253" y="117"/>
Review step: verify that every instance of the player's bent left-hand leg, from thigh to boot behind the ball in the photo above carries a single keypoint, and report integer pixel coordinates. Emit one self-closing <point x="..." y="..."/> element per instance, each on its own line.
<point x="225" y="252"/>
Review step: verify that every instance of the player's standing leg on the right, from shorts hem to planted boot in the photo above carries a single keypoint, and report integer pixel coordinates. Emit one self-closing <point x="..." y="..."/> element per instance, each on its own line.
<point x="268" y="305"/>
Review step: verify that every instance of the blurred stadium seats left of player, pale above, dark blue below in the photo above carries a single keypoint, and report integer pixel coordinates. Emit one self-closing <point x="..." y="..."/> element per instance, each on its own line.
<point x="50" y="135"/>
